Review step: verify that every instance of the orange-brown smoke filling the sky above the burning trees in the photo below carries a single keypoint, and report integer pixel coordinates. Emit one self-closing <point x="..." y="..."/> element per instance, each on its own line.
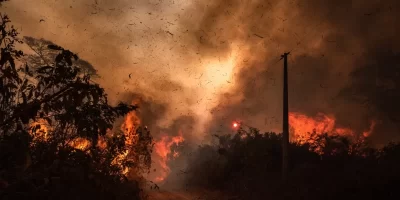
<point x="198" y="65"/>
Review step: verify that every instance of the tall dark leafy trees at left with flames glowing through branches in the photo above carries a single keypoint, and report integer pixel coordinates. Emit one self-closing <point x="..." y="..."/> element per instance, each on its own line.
<point x="56" y="128"/>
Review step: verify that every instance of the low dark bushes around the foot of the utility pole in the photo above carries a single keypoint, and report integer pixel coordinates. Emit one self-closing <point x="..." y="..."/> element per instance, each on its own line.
<point x="248" y="164"/>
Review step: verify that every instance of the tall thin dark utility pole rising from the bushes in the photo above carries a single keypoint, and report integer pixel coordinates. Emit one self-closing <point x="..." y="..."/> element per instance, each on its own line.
<point x="285" y="122"/>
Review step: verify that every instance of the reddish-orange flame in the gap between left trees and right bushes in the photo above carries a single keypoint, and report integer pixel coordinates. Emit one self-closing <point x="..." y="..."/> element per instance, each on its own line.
<point x="162" y="149"/>
